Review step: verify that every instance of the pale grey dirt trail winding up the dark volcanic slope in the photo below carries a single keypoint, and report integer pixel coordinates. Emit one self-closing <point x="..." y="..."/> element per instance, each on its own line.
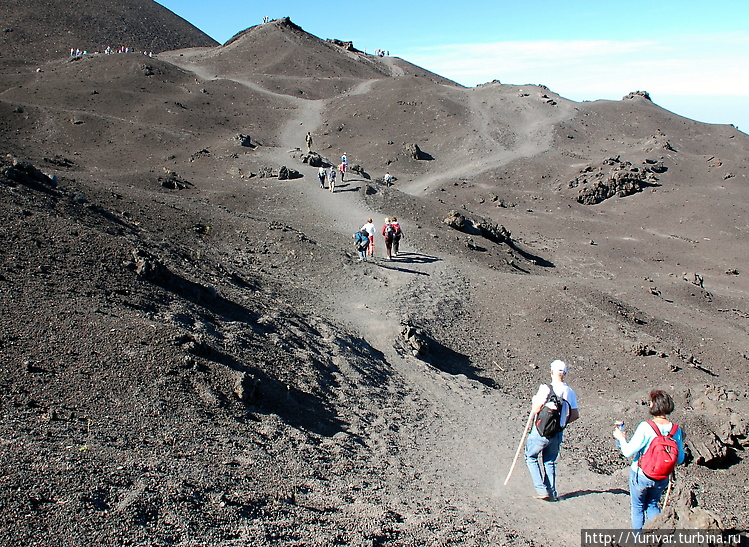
<point x="461" y="446"/>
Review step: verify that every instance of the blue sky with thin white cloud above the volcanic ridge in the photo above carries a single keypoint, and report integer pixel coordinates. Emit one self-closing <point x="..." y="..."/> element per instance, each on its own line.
<point x="691" y="56"/>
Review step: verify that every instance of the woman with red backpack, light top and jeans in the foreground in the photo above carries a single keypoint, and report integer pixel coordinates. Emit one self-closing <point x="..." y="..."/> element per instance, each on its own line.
<point x="645" y="492"/>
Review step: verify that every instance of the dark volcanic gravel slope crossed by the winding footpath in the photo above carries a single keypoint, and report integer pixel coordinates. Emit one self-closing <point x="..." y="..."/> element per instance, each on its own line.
<point x="192" y="353"/>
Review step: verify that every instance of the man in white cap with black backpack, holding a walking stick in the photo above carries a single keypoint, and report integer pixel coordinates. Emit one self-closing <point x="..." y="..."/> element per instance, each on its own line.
<point x="559" y="402"/>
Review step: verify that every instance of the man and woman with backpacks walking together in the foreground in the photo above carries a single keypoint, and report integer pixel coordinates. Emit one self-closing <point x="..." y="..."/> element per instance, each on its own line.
<point x="657" y="445"/>
